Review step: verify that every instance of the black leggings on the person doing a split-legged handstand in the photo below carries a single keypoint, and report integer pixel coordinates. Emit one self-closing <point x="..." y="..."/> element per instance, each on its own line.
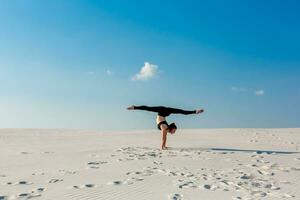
<point x="165" y="111"/>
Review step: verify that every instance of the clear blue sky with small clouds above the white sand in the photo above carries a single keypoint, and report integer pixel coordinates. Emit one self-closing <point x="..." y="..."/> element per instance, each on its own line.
<point x="77" y="64"/>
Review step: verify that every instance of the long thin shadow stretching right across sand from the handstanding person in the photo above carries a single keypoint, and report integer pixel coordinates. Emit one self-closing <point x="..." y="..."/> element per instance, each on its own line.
<point x="235" y="150"/>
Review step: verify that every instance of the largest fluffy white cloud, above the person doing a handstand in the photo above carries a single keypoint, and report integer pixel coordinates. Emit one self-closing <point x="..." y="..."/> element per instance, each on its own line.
<point x="147" y="71"/>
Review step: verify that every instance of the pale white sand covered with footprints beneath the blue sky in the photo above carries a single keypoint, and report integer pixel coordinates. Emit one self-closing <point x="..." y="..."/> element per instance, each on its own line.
<point x="202" y="164"/>
